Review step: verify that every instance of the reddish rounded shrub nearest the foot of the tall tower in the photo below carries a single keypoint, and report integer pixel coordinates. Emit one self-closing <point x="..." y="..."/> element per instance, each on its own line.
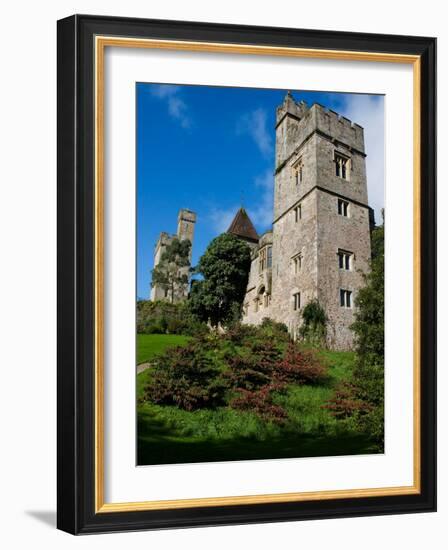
<point x="300" y="366"/>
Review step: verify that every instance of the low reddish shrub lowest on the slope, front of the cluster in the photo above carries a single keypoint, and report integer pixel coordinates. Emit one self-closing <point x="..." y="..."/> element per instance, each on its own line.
<point x="261" y="403"/>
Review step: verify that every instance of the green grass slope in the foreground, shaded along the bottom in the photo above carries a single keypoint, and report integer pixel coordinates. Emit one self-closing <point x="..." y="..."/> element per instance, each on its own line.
<point x="168" y="434"/>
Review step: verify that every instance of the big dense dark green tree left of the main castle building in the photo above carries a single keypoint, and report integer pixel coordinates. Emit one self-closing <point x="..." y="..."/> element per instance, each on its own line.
<point x="225" y="269"/>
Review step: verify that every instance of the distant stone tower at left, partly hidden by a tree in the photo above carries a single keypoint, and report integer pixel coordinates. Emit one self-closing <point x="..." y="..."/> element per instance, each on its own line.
<point x="186" y="221"/>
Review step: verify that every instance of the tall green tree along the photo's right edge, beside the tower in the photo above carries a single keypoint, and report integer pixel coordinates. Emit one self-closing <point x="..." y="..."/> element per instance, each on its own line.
<point x="369" y="341"/>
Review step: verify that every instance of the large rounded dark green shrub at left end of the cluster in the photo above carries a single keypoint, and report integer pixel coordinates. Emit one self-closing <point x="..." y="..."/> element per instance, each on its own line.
<point x="187" y="377"/>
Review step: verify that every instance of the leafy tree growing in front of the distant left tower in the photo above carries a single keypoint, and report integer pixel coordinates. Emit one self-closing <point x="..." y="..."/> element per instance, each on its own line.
<point x="172" y="272"/>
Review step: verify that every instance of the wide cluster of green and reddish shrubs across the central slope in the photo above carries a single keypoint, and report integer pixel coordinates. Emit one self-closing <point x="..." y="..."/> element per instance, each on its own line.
<point x="244" y="368"/>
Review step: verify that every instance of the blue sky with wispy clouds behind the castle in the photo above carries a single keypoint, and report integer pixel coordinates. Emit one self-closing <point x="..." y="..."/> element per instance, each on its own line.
<point x="211" y="149"/>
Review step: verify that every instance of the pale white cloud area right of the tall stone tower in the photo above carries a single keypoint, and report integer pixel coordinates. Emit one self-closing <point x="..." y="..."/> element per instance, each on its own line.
<point x="368" y="111"/>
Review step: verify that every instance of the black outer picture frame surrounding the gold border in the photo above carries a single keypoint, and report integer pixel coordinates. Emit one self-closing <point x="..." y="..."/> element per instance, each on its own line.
<point x="76" y="254"/>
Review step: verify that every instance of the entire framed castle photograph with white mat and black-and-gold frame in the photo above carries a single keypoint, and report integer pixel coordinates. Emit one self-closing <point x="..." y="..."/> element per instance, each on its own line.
<point x="246" y="271"/>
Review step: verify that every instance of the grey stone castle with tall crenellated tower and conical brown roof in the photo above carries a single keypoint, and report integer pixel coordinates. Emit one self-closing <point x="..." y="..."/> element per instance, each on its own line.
<point x="319" y="244"/>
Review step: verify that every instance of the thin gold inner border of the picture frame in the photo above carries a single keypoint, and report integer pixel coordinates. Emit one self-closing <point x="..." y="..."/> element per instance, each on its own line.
<point x="100" y="44"/>
